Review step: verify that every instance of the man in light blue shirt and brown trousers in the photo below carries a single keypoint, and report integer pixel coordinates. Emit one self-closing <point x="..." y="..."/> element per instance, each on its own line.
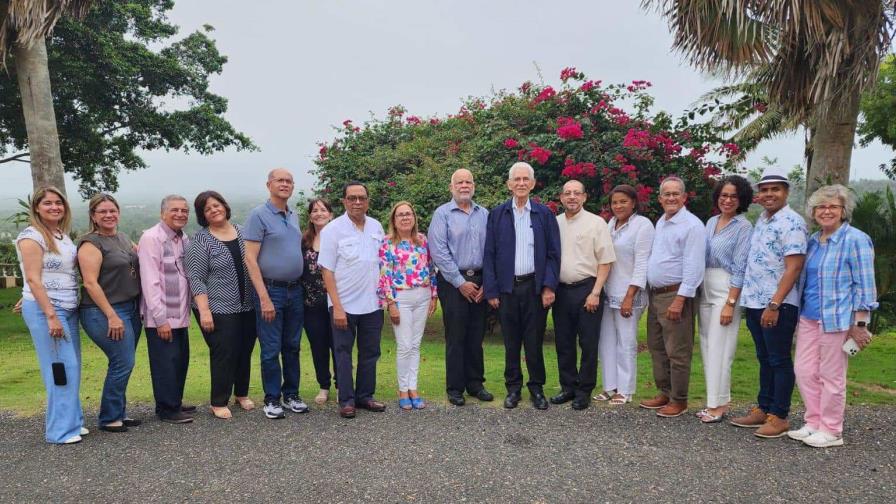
<point x="674" y="271"/>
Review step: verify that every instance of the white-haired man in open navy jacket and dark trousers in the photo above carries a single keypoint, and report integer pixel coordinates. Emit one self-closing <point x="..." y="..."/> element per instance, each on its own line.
<point x="520" y="272"/>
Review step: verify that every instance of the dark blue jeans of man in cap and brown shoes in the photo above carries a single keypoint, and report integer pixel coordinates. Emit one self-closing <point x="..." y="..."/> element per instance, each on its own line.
<point x="773" y="346"/>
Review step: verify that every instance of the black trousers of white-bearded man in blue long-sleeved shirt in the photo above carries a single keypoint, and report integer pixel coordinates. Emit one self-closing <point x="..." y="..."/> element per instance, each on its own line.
<point x="464" y="330"/>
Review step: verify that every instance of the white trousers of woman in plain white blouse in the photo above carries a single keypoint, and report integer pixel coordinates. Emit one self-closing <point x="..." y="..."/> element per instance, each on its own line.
<point x="618" y="350"/>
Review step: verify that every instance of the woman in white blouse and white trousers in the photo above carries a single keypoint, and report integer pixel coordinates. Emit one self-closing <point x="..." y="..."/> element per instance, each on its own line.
<point x="626" y="299"/>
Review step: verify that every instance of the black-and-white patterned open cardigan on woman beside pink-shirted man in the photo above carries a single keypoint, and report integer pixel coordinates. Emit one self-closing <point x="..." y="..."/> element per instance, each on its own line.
<point x="211" y="269"/>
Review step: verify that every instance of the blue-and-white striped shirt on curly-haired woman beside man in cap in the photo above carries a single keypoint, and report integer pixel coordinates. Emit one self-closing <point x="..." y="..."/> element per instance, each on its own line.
<point x="728" y="248"/>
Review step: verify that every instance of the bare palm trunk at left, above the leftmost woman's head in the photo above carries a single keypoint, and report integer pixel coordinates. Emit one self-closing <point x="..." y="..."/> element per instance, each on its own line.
<point x="40" y="118"/>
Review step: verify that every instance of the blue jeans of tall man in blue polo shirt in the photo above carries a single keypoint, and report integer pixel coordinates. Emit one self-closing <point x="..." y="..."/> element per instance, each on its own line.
<point x="280" y="339"/>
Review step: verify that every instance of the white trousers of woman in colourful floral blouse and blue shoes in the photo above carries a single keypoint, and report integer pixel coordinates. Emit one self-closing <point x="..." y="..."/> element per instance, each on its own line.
<point x="413" y="308"/>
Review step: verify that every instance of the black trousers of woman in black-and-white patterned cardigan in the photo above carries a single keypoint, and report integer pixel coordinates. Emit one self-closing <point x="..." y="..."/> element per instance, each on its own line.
<point x="230" y="348"/>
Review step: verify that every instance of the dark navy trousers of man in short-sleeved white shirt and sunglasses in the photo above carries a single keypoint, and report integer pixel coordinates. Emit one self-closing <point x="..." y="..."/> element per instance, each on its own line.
<point x="367" y="328"/>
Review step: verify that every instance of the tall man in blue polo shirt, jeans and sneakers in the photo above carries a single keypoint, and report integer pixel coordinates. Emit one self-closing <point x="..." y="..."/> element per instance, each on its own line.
<point x="274" y="260"/>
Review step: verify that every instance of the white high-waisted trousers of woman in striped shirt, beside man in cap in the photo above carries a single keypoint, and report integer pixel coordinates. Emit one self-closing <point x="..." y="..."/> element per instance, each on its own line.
<point x="717" y="342"/>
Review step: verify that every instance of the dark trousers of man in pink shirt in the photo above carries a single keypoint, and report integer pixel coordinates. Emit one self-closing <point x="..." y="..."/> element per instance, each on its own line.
<point x="168" y="362"/>
